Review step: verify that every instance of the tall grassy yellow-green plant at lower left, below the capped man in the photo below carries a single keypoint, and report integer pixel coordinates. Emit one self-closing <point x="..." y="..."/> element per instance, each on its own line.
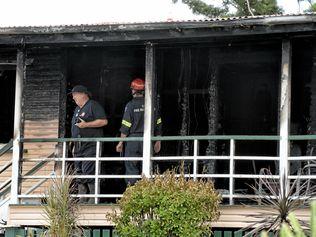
<point x="61" y="209"/>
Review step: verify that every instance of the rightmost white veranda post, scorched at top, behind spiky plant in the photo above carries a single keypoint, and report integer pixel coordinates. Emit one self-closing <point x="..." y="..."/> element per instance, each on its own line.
<point x="285" y="112"/>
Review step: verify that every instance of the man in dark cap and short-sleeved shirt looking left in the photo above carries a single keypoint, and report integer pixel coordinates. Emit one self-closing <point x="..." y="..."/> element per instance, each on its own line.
<point x="88" y="121"/>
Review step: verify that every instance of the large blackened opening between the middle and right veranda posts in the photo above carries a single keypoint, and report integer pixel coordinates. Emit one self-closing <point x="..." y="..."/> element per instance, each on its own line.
<point x="224" y="90"/>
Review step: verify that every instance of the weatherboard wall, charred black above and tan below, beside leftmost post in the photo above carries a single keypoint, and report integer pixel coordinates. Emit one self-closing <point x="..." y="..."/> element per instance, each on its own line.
<point x="43" y="109"/>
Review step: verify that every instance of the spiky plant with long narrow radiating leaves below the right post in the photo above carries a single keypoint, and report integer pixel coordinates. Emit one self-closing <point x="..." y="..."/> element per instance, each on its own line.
<point x="278" y="203"/>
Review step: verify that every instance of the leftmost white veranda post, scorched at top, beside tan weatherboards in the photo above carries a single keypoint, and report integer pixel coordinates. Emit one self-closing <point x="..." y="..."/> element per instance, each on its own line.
<point x="17" y="127"/>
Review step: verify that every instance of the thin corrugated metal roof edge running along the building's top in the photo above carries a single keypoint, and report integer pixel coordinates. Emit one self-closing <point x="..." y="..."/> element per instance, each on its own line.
<point x="170" y="21"/>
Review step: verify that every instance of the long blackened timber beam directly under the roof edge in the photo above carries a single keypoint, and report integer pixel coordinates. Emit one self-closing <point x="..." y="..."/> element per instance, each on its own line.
<point x="152" y="32"/>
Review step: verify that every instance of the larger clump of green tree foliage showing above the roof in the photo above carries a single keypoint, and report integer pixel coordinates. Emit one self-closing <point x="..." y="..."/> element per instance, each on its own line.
<point x="242" y="7"/>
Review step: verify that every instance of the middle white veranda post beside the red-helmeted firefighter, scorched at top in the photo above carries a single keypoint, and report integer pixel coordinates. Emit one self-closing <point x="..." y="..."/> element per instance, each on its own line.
<point x="148" y="113"/>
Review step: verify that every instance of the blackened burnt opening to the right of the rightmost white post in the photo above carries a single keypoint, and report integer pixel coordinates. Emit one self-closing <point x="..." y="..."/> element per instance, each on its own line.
<point x="303" y="100"/>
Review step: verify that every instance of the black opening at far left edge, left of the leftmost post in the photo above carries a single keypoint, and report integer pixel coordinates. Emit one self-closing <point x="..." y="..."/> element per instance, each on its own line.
<point x="7" y="92"/>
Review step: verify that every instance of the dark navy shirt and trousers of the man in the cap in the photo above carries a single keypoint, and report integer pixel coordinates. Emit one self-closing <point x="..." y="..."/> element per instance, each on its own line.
<point x="91" y="111"/>
